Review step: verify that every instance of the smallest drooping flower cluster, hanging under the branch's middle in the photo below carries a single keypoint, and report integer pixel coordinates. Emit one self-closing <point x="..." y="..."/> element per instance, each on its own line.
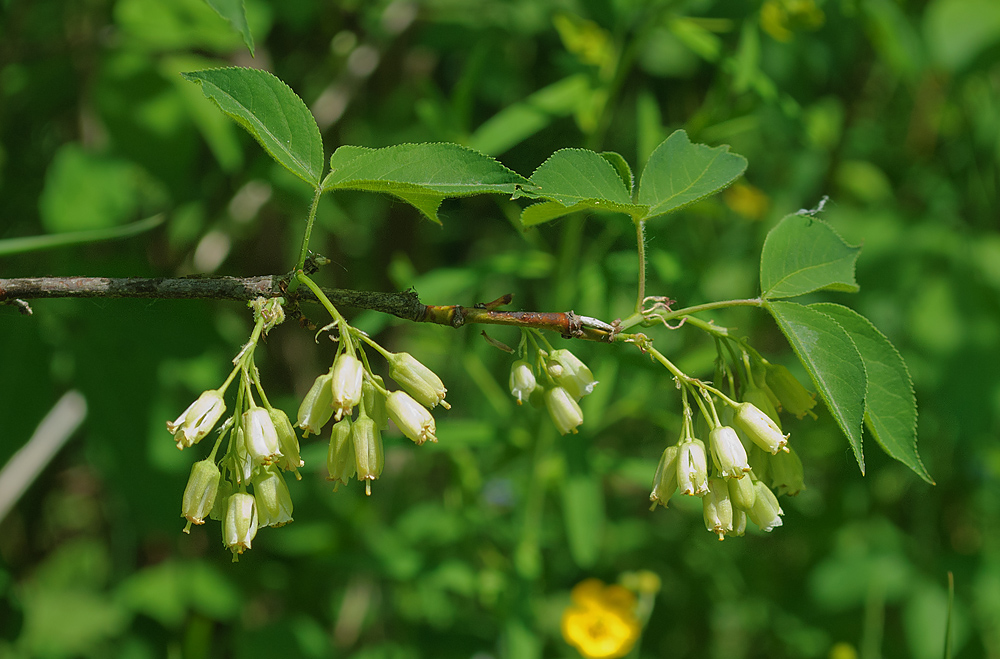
<point x="556" y="379"/>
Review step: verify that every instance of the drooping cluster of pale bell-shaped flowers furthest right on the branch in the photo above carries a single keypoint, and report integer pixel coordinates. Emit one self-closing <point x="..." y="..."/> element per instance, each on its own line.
<point x="750" y="459"/>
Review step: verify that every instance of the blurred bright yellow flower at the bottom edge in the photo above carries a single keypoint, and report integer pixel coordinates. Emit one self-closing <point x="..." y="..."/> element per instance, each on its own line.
<point x="600" y="623"/>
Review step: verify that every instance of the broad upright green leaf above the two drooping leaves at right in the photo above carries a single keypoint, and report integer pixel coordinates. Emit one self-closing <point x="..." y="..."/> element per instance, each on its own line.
<point x="803" y="254"/>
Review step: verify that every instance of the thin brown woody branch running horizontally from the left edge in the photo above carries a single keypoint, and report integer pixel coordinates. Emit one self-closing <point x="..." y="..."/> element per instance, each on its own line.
<point x="405" y="305"/>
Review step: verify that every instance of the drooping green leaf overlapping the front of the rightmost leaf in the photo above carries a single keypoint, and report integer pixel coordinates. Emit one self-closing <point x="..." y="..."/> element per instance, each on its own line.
<point x="833" y="362"/>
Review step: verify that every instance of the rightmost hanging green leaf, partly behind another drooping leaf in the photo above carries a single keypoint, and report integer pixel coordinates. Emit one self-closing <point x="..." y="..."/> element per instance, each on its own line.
<point x="890" y="407"/>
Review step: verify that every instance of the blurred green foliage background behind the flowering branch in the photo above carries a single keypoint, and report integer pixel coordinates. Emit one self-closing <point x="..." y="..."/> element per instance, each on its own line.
<point x="469" y="548"/>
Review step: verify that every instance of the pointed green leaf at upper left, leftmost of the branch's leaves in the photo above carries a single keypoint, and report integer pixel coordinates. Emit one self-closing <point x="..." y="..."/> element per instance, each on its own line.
<point x="270" y="111"/>
